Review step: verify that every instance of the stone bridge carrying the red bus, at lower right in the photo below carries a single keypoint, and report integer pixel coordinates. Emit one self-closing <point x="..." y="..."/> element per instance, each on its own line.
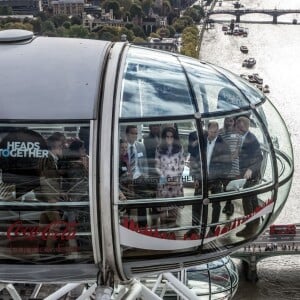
<point x="267" y="246"/>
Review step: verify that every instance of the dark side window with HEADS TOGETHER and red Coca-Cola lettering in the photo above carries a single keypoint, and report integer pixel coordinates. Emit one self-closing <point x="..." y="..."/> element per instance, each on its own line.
<point x="44" y="199"/>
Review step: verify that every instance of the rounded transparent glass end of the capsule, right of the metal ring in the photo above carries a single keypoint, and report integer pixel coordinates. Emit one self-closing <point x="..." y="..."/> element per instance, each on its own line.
<point x="189" y="185"/>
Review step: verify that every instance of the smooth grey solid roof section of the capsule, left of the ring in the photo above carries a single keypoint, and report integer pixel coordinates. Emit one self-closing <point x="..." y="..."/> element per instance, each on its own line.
<point x="50" y="78"/>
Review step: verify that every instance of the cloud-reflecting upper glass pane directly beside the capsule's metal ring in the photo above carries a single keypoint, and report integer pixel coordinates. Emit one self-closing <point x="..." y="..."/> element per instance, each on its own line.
<point x="154" y="85"/>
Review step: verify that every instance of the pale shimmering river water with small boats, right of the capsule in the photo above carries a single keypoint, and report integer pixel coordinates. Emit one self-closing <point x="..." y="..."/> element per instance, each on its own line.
<point x="276" y="49"/>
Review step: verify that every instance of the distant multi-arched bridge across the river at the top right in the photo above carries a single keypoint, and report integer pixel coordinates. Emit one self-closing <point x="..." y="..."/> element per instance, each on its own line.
<point x="275" y="13"/>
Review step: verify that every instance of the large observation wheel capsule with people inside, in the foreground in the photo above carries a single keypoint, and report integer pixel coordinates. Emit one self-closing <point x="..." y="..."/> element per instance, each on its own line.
<point x="89" y="185"/>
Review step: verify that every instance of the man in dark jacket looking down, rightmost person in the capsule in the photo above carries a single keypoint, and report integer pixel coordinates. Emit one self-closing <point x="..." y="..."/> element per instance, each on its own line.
<point x="250" y="159"/>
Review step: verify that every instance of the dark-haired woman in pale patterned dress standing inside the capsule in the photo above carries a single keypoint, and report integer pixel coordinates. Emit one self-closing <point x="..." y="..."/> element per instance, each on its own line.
<point x="169" y="161"/>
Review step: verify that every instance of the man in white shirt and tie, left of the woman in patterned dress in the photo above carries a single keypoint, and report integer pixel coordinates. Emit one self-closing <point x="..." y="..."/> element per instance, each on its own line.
<point x="138" y="170"/>
